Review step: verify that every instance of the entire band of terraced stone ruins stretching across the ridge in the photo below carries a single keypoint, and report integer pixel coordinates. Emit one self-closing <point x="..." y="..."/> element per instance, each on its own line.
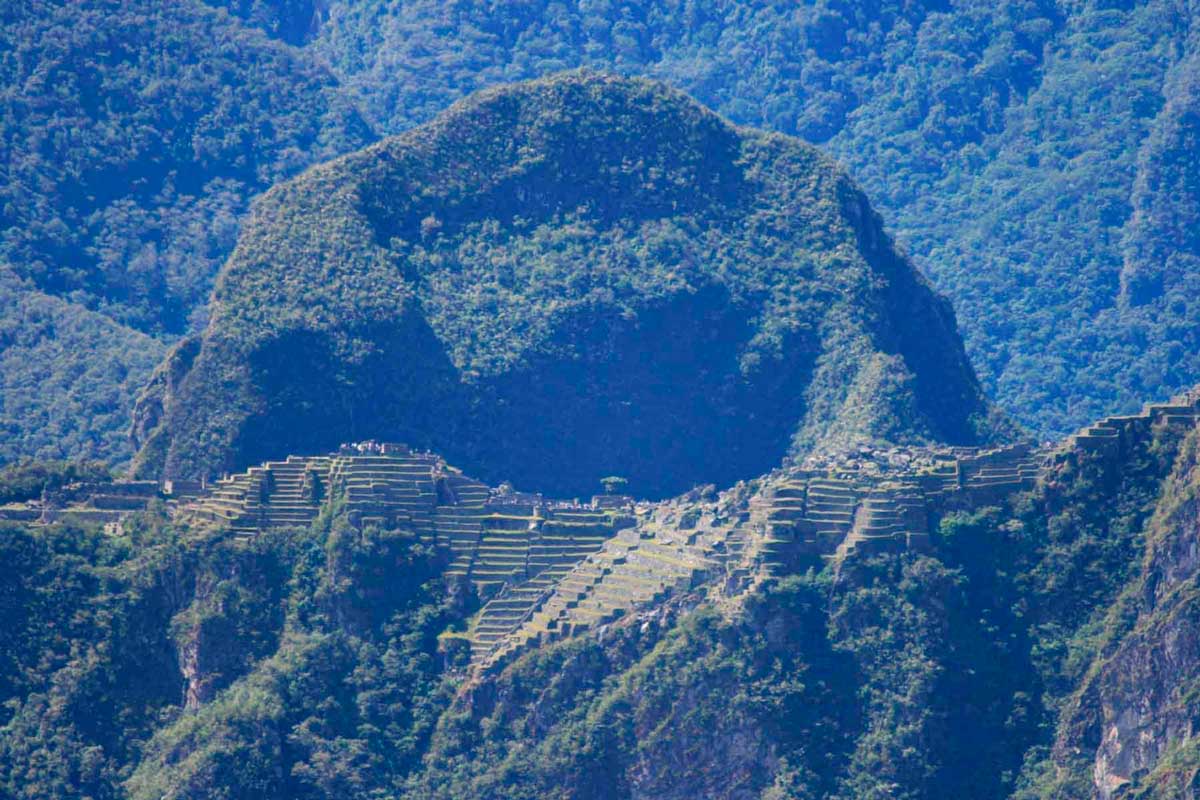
<point x="548" y="569"/>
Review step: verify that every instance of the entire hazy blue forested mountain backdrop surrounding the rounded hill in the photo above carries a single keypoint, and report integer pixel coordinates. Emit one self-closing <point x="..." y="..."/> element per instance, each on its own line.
<point x="1035" y="159"/>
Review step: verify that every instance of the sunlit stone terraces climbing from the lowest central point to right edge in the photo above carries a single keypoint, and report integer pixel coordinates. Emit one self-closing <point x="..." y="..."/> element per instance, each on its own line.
<point x="830" y="510"/>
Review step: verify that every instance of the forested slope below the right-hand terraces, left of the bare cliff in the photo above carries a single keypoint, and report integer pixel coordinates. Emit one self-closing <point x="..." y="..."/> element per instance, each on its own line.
<point x="951" y="675"/>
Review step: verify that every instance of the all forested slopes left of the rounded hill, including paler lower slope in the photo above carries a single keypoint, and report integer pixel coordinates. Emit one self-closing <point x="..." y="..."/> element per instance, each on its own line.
<point x="133" y="137"/>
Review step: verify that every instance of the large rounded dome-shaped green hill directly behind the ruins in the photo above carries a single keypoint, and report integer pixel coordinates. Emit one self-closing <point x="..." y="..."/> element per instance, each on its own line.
<point x="589" y="268"/>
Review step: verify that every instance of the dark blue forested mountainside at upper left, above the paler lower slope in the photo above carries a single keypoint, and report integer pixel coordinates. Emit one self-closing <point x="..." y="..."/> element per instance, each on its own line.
<point x="125" y="191"/>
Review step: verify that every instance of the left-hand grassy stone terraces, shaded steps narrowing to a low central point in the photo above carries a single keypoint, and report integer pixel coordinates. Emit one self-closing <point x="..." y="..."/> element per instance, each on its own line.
<point x="513" y="552"/>
